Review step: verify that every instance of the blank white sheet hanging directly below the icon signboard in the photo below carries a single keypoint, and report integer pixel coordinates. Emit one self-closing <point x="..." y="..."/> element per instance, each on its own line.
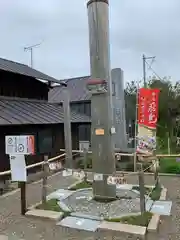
<point x="18" y="168"/>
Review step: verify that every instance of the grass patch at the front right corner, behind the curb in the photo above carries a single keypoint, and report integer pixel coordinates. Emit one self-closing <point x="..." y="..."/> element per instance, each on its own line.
<point x="139" y="220"/>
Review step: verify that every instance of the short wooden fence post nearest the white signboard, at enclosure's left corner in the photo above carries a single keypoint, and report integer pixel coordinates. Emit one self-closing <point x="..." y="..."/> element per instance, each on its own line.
<point x="44" y="183"/>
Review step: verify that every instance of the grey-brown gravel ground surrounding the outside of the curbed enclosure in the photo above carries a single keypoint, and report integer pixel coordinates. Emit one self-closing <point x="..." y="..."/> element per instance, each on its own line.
<point x="13" y="224"/>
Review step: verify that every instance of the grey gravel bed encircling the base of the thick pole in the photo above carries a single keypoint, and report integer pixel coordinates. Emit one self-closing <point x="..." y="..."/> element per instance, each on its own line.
<point x="112" y="209"/>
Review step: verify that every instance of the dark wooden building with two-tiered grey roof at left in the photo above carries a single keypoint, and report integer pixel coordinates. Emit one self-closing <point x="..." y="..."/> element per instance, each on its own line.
<point x="25" y="110"/>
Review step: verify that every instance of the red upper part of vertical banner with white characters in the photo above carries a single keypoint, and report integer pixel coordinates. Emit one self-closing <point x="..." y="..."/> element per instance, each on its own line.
<point x="148" y="107"/>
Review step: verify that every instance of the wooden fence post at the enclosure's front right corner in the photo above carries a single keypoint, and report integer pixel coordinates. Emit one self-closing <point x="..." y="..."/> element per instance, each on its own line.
<point x="142" y="189"/>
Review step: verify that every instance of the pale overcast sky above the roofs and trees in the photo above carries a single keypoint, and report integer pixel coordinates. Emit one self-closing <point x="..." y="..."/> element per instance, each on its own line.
<point x="136" y="27"/>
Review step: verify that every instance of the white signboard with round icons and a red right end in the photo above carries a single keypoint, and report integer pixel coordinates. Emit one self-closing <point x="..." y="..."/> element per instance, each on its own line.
<point x="20" y="145"/>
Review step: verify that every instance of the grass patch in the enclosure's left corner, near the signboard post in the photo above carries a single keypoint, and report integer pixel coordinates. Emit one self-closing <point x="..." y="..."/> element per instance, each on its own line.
<point x="52" y="205"/>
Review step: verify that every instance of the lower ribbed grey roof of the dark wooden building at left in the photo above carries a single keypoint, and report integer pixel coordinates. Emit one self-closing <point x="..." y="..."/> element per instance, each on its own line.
<point x="34" y="112"/>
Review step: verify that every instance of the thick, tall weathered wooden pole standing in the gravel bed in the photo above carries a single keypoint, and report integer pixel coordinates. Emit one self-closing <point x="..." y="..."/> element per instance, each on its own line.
<point x="100" y="86"/>
